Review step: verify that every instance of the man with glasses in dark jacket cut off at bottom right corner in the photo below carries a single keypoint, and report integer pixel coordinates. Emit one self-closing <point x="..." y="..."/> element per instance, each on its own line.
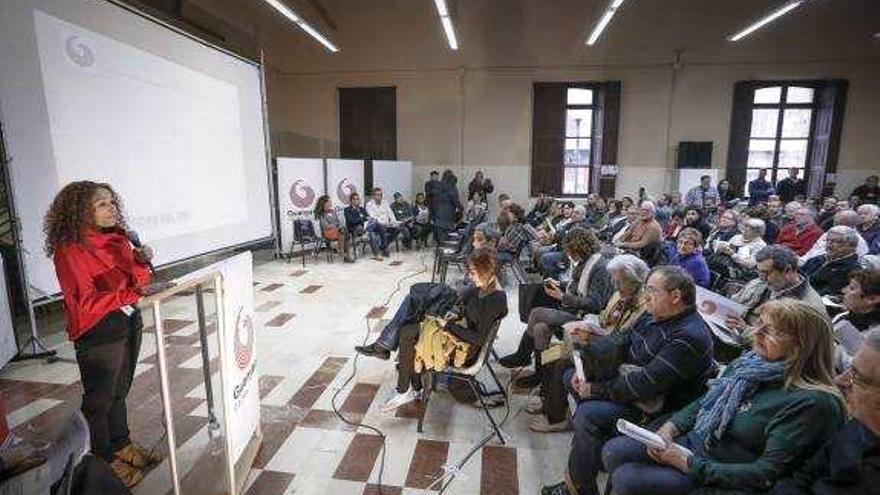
<point x="850" y="462"/>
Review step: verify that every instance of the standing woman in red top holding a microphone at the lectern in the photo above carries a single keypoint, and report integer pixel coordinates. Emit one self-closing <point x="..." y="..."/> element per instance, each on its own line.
<point x="101" y="277"/>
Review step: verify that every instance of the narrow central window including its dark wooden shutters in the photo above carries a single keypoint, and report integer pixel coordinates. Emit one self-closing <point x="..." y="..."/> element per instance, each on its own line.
<point x="574" y="133"/>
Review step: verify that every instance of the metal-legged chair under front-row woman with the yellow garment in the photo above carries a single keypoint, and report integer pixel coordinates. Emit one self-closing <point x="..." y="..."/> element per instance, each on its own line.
<point x="468" y="375"/>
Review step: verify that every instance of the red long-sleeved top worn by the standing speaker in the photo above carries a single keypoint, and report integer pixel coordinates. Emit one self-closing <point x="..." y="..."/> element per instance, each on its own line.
<point x="98" y="276"/>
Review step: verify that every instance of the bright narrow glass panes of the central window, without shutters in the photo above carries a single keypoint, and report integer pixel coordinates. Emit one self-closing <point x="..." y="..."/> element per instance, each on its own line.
<point x="578" y="141"/>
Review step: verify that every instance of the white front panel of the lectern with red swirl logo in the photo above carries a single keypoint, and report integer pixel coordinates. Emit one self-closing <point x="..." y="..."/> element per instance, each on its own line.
<point x="239" y="352"/>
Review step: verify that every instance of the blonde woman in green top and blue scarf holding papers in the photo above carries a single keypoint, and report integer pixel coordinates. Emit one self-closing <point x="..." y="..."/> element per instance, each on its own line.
<point x="766" y="413"/>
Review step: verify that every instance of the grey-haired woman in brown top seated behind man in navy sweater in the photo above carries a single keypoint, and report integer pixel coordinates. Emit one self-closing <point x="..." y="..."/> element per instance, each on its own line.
<point x="624" y="311"/>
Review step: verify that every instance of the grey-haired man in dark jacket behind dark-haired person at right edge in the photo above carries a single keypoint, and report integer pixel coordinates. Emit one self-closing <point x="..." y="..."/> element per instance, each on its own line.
<point x="828" y="272"/>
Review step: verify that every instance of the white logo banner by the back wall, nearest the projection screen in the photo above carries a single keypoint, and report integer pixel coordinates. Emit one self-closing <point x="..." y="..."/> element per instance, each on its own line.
<point x="300" y="183"/>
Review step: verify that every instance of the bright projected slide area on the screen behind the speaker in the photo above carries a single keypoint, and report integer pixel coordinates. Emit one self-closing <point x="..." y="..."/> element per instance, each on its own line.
<point x="167" y="137"/>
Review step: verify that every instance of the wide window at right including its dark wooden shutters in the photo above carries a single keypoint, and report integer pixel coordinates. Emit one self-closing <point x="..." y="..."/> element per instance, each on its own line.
<point x="778" y="125"/>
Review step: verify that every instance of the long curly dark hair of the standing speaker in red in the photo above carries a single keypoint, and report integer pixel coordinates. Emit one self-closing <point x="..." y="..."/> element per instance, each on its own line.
<point x="71" y="212"/>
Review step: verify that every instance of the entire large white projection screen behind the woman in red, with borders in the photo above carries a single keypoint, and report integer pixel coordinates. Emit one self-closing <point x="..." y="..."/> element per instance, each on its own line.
<point x="92" y="91"/>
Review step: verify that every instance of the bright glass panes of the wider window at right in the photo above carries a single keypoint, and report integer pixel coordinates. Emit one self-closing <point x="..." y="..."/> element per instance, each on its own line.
<point x="780" y="133"/>
